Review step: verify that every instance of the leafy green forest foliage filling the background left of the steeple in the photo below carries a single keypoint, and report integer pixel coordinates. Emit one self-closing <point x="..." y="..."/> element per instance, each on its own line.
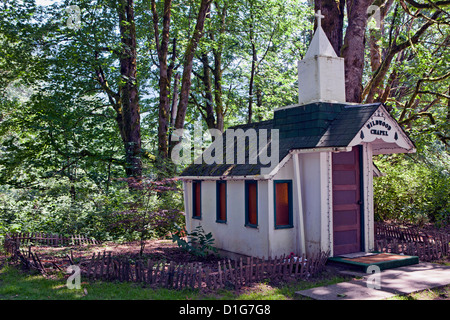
<point x="61" y="154"/>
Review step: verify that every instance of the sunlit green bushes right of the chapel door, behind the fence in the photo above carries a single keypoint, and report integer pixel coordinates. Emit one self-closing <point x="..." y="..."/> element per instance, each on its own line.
<point x="414" y="189"/>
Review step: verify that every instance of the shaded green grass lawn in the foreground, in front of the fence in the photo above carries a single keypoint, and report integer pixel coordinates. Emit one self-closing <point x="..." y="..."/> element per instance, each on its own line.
<point x="17" y="285"/>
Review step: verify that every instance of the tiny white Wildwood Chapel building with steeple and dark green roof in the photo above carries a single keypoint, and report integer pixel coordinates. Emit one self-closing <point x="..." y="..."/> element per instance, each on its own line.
<point x="319" y="195"/>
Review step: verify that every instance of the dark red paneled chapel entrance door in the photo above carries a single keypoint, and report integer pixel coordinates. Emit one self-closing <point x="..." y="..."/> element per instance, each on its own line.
<point x="346" y="202"/>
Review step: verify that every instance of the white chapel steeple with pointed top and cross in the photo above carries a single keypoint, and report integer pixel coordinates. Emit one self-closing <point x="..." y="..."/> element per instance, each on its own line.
<point x="321" y="75"/>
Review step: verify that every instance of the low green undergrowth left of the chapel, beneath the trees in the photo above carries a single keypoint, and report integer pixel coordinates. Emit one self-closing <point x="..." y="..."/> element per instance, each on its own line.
<point x="111" y="216"/>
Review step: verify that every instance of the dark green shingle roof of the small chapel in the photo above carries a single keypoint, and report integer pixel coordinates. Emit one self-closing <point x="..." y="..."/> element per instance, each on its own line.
<point x="316" y="125"/>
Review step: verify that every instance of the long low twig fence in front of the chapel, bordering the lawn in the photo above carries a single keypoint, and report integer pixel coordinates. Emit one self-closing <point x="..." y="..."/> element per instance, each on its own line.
<point x="229" y="274"/>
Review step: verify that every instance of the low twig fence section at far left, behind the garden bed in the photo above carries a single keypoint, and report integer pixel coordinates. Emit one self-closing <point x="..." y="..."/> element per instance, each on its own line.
<point x="54" y="240"/>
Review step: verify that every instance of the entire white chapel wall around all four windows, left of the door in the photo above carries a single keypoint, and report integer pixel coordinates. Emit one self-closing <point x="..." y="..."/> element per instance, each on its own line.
<point x="265" y="240"/>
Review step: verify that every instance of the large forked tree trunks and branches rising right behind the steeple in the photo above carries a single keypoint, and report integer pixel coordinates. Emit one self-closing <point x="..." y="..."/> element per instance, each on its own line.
<point x="352" y="47"/>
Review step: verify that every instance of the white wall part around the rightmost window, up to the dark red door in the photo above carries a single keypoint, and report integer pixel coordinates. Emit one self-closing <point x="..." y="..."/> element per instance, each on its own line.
<point x="316" y="191"/>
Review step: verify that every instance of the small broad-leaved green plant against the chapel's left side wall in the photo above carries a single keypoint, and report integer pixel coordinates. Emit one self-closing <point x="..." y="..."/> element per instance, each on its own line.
<point x="199" y="244"/>
